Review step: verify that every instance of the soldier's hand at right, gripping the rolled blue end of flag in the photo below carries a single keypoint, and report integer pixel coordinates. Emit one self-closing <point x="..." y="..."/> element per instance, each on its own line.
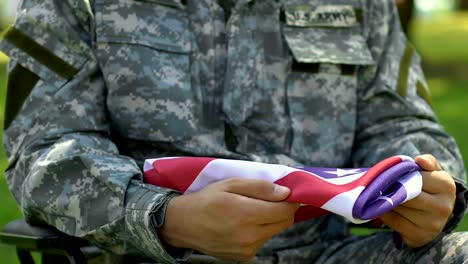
<point x="420" y="220"/>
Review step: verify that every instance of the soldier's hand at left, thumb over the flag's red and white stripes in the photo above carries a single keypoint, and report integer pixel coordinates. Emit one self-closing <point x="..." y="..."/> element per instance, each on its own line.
<point x="230" y="219"/>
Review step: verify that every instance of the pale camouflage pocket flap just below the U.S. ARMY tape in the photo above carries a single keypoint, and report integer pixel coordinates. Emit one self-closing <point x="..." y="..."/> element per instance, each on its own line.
<point x="328" y="45"/>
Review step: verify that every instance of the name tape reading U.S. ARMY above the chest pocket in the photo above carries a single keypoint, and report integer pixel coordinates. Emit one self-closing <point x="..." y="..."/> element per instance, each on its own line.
<point x="321" y="16"/>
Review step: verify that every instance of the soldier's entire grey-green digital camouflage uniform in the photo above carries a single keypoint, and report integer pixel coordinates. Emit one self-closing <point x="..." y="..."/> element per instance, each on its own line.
<point x="329" y="83"/>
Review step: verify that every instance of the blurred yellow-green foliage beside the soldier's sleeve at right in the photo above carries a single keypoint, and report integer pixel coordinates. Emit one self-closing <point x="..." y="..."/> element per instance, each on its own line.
<point x="442" y="41"/>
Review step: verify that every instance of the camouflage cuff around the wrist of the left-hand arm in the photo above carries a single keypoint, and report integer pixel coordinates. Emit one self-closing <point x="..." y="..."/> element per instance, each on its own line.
<point x="145" y="203"/>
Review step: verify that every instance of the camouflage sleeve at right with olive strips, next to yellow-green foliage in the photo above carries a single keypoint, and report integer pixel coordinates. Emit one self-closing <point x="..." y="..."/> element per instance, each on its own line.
<point x="394" y="108"/>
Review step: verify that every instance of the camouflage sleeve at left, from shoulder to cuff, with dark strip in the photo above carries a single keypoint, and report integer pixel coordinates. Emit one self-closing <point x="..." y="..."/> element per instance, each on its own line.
<point x="63" y="168"/>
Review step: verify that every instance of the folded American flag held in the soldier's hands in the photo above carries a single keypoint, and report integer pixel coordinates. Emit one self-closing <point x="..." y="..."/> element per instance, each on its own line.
<point x="359" y="194"/>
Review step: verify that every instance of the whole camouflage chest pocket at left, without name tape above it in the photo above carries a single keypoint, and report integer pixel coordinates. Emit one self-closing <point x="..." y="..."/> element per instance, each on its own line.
<point x="144" y="50"/>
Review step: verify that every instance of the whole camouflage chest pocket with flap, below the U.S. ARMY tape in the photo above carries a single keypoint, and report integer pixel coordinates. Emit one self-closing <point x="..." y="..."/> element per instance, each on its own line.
<point x="322" y="90"/>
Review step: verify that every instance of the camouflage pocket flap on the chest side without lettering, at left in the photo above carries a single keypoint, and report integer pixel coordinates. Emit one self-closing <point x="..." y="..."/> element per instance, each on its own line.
<point x="150" y="24"/>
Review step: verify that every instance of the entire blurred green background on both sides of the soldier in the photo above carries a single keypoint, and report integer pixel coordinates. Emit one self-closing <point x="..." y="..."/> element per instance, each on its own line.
<point x="439" y="30"/>
